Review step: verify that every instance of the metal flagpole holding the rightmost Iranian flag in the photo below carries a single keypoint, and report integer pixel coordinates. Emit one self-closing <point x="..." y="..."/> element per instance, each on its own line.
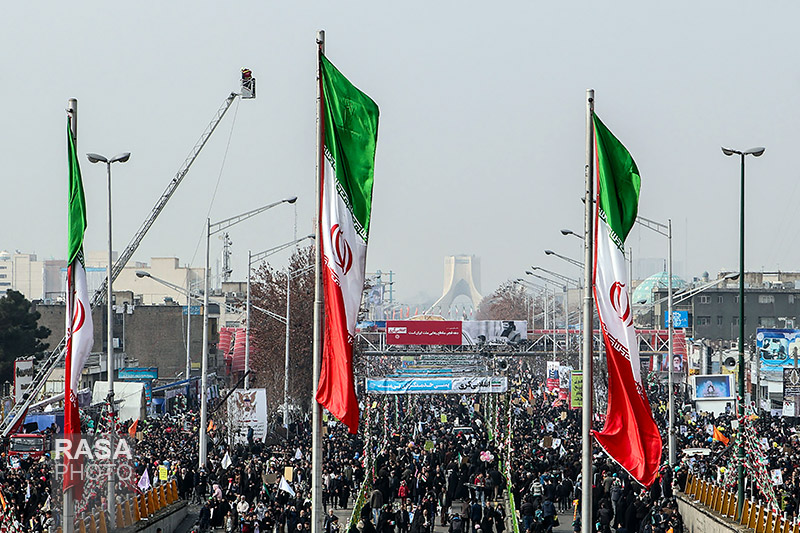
<point x="588" y="328"/>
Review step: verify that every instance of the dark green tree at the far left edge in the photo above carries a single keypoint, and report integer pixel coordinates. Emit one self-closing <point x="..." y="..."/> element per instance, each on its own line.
<point x="20" y="334"/>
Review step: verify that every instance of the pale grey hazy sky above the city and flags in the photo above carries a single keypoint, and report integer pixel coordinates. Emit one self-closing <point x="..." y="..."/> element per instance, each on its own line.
<point x="481" y="138"/>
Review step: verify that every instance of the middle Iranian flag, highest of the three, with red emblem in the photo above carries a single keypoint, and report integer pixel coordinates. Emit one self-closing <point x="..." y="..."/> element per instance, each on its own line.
<point x="349" y="122"/>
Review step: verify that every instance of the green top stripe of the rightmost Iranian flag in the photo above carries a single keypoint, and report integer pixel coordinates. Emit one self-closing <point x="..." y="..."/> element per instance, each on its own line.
<point x="619" y="182"/>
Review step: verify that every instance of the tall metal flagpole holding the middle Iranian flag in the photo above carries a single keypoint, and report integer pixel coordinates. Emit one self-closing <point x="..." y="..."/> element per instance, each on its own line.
<point x="316" y="430"/>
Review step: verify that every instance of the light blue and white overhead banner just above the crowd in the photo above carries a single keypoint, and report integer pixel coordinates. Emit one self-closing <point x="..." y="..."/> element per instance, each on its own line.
<point x="459" y="385"/>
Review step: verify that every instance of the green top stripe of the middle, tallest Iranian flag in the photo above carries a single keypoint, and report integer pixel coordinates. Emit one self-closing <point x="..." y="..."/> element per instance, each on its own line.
<point x="351" y="134"/>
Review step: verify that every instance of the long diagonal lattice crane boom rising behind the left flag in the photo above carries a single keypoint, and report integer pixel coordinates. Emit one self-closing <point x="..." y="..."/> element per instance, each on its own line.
<point x="55" y="357"/>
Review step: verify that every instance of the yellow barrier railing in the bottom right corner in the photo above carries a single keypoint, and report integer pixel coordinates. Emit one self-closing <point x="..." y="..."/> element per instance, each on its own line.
<point x="754" y="516"/>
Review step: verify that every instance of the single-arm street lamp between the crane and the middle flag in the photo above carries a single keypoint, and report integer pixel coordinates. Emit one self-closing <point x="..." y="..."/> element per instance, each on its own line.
<point x="211" y="229"/>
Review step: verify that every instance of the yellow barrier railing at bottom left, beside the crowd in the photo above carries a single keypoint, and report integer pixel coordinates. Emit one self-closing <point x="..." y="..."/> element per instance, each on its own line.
<point x="131" y="510"/>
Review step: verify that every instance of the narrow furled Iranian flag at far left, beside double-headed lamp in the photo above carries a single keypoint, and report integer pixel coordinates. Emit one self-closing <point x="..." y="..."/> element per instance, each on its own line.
<point x="80" y="334"/>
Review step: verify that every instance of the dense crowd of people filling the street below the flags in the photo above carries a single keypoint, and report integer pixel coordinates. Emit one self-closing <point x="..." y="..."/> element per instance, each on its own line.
<point x="433" y="462"/>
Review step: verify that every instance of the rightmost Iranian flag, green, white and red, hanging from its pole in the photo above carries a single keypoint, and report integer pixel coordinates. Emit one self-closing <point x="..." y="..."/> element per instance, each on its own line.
<point x="630" y="435"/>
